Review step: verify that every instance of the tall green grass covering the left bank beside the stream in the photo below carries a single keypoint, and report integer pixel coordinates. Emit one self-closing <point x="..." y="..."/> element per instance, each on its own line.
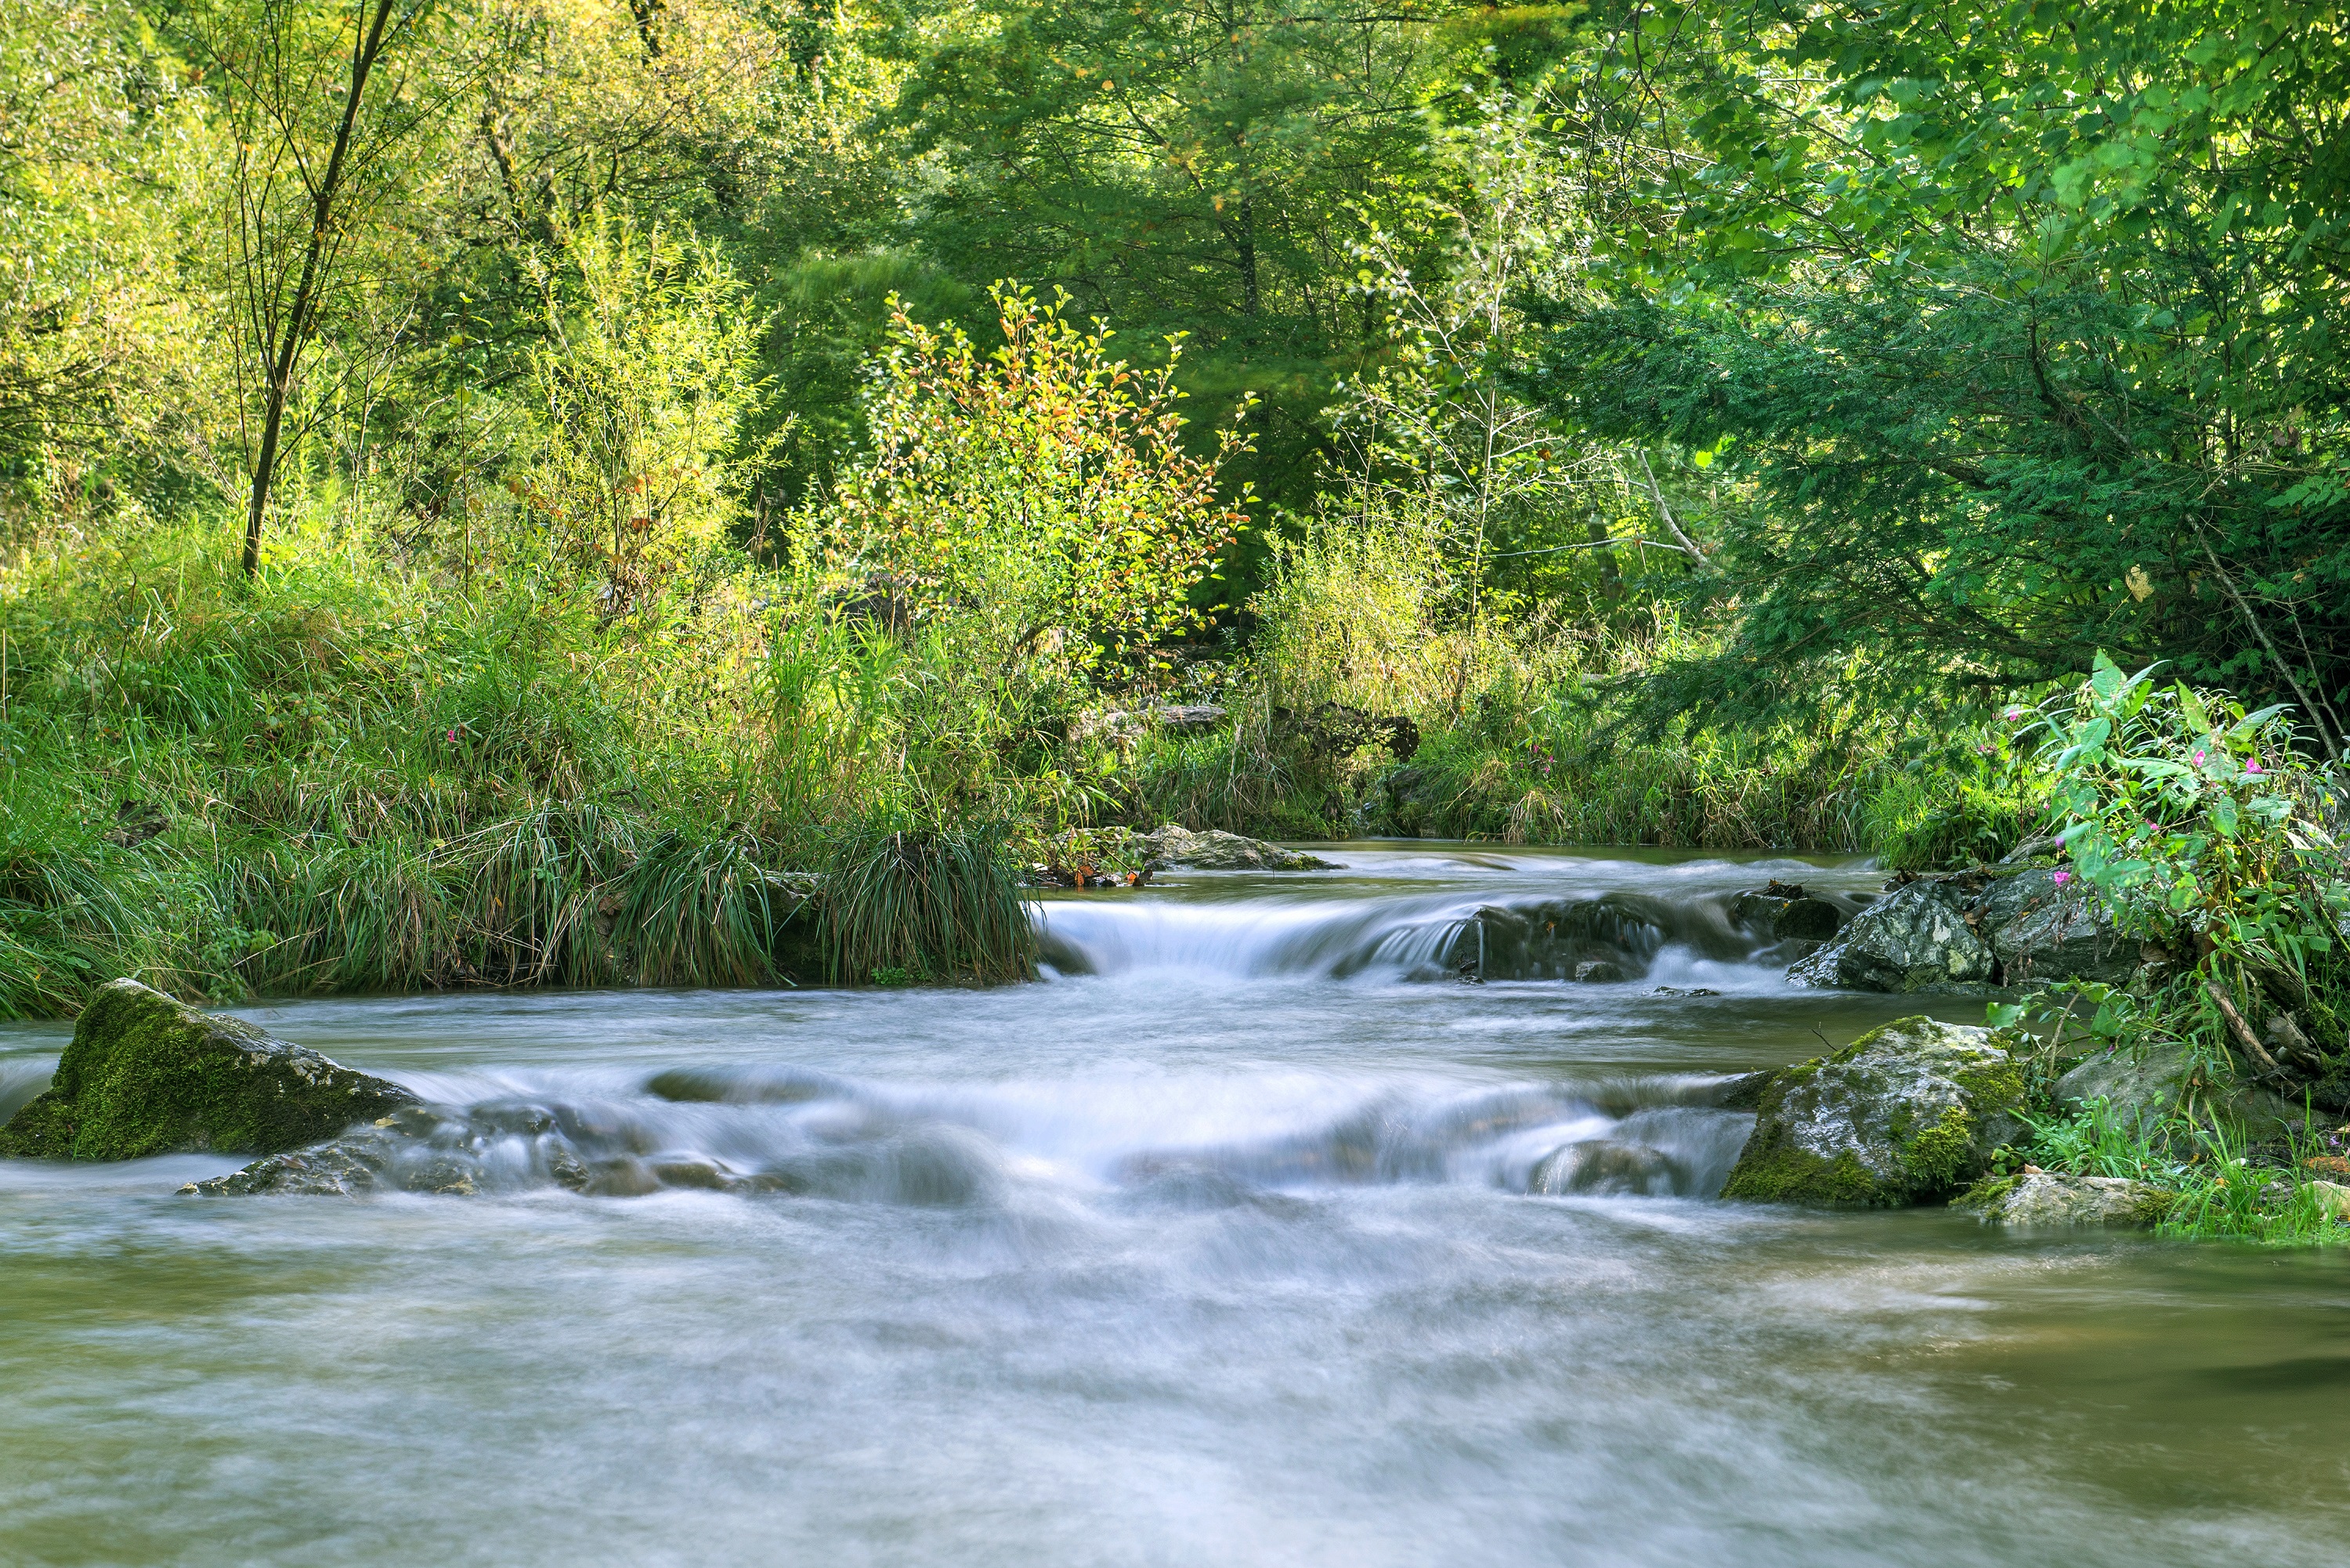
<point x="358" y="782"/>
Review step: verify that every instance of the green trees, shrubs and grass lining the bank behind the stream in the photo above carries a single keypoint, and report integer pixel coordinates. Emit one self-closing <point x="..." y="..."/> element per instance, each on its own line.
<point x="556" y="492"/>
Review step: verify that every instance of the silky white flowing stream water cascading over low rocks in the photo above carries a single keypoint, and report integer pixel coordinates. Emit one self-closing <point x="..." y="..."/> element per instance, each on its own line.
<point x="1251" y="1235"/>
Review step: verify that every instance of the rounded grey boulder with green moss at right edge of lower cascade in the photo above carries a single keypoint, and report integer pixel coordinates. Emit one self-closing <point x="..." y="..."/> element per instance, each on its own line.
<point x="1905" y="1115"/>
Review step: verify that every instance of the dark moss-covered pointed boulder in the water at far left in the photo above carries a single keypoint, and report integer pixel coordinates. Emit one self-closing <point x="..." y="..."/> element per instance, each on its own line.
<point x="149" y="1076"/>
